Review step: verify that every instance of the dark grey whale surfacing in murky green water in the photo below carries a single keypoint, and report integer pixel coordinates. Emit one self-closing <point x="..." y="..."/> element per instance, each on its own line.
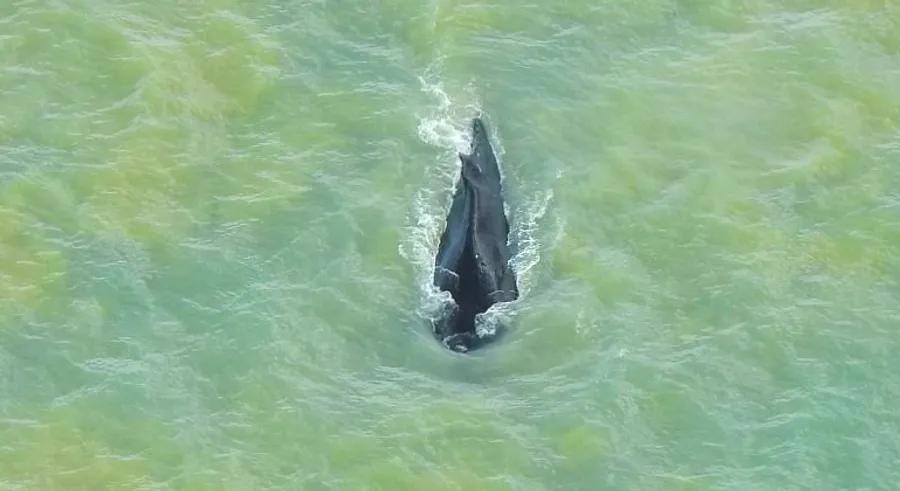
<point x="472" y="262"/>
